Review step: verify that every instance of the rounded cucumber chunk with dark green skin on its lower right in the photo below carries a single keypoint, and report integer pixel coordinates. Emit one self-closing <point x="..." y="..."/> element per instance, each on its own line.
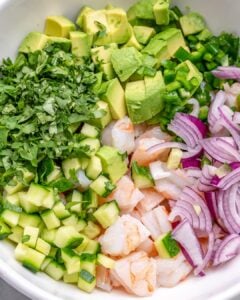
<point x="67" y="236"/>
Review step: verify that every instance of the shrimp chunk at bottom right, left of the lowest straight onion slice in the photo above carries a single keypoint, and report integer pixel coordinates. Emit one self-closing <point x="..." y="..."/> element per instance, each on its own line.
<point x="171" y="271"/>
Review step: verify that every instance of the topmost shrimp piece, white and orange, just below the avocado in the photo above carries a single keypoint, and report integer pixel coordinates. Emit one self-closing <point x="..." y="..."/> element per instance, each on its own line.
<point x="120" y="135"/>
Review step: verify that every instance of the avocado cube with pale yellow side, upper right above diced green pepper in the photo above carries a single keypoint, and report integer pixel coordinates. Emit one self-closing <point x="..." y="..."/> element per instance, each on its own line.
<point x="174" y="39"/>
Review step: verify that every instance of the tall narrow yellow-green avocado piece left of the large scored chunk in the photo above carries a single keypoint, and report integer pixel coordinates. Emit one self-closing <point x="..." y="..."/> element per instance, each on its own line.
<point x="114" y="96"/>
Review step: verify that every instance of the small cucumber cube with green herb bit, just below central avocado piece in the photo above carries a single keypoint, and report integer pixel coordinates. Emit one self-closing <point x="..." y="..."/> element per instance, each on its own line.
<point x="102" y="186"/>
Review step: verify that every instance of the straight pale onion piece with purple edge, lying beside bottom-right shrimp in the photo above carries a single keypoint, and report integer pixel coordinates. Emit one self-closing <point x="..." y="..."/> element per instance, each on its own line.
<point x="186" y="237"/>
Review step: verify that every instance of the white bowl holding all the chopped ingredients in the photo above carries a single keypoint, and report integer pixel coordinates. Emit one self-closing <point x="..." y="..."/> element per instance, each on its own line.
<point x="17" y="18"/>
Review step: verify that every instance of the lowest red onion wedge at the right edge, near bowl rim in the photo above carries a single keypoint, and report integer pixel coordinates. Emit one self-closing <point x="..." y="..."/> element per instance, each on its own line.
<point x="227" y="250"/>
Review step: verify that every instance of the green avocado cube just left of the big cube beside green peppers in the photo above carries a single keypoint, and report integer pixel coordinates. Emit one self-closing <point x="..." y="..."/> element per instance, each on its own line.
<point x="158" y="49"/>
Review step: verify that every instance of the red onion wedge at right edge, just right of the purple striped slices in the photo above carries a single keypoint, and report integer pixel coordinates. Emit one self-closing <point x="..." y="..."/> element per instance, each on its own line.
<point x="220" y="149"/>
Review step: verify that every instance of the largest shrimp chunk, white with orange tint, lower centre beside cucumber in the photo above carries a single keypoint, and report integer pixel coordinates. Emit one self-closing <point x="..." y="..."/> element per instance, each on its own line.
<point x="124" y="236"/>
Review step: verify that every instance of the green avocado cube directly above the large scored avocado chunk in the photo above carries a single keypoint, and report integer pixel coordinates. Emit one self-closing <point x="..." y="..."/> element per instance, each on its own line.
<point x="126" y="61"/>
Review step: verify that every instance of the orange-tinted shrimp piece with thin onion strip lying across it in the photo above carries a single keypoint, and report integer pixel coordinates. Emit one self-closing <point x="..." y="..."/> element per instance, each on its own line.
<point x="143" y="158"/>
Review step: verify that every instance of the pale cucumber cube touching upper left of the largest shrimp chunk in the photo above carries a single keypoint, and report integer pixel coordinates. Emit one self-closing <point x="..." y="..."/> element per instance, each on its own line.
<point x="107" y="214"/>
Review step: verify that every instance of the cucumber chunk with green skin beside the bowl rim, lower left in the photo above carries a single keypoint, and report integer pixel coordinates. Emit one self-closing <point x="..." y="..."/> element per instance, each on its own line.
<point x="30" y="258"/>
